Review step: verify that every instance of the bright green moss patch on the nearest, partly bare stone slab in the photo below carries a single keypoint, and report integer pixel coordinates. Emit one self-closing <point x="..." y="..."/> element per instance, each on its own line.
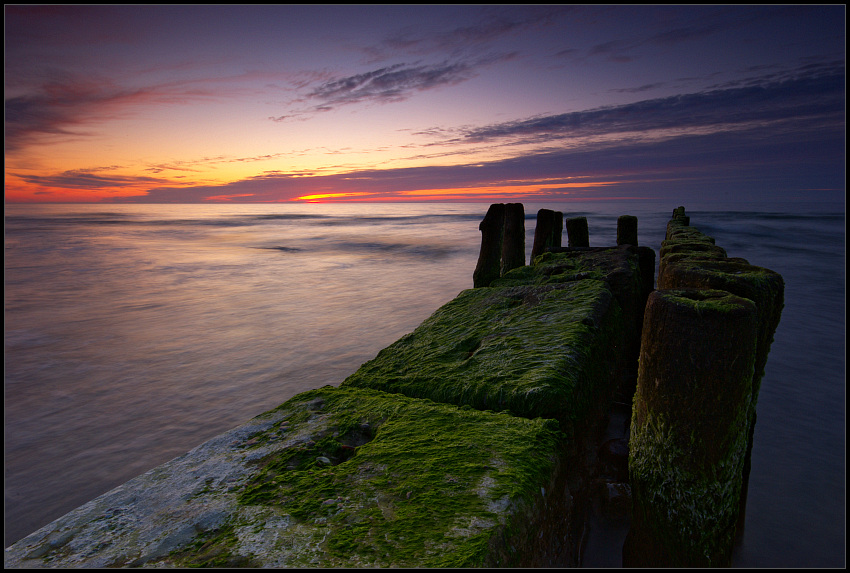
<point x="429" y="485"/>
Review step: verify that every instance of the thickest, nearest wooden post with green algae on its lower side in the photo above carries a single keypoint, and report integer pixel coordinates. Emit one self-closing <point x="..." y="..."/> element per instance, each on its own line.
<point x="689" y="428"/>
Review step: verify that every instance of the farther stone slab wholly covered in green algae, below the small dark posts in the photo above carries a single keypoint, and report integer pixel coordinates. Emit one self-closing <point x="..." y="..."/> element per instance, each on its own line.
<point x="545" y="351"/>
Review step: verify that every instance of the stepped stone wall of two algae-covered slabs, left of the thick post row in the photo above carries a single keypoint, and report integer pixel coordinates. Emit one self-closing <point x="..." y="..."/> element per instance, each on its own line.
<point x="311" y="485"/>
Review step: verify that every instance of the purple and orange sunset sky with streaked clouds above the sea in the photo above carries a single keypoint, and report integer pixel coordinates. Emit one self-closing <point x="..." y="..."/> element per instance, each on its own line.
<point x="489" y="103"/>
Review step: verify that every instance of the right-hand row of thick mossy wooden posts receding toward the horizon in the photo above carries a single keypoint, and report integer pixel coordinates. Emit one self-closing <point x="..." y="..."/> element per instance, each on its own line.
<point x="706" y="337"/>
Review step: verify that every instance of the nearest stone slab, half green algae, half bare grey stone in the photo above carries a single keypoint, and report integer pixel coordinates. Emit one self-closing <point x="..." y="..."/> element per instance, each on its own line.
<point x="335" y="477"/>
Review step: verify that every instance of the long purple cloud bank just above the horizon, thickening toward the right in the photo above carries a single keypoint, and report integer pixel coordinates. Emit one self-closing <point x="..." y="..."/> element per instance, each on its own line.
<point x="779" y="162"/>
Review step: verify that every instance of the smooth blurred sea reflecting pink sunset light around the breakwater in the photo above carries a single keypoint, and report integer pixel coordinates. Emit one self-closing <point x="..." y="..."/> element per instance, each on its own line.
<point x="133" y="333"/>
